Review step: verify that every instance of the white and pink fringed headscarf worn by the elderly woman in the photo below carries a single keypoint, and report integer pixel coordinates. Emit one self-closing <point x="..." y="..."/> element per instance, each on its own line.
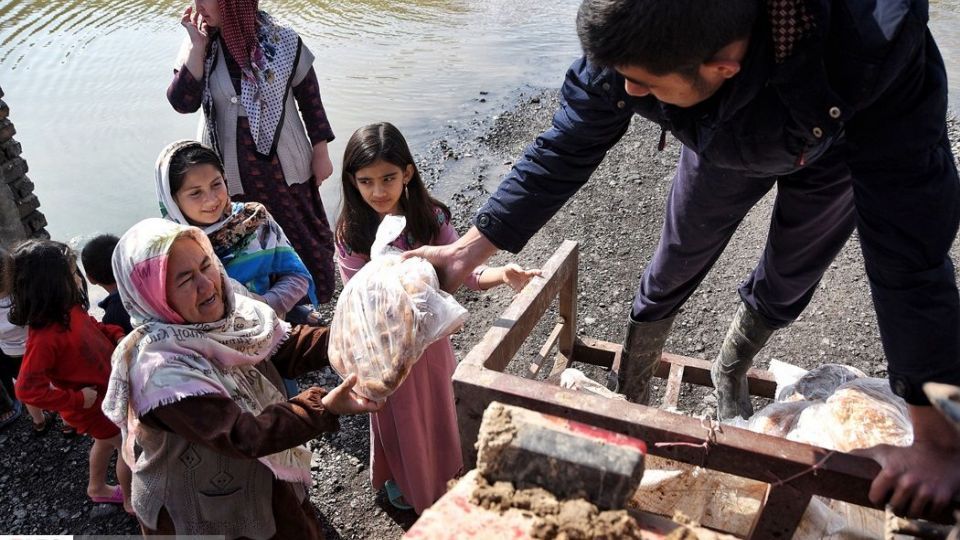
<point x="166" y="359"/>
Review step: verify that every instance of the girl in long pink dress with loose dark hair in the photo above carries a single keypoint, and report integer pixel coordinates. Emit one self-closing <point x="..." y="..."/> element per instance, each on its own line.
<point x="414" y="441"/>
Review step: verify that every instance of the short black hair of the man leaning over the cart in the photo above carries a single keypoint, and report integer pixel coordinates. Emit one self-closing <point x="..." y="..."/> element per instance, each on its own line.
<point x="662" y="36"/>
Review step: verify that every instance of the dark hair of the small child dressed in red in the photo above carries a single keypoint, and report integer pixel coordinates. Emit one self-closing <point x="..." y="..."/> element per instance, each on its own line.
<point x="44" y="288"/>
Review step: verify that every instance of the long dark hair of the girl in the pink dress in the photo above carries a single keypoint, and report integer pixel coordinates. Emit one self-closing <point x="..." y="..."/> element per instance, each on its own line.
<point x="357" y="225"/>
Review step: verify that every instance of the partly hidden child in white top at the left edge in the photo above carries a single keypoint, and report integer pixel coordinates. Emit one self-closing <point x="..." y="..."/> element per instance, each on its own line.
<point x="13" y="340"/>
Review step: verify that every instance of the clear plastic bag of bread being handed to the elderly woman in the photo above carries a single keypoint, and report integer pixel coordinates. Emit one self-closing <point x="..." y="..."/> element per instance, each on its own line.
<point x="387" y="314"/>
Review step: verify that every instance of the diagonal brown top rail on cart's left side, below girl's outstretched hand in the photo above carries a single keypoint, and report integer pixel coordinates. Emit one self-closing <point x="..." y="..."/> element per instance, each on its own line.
<point x="508" y="333"/>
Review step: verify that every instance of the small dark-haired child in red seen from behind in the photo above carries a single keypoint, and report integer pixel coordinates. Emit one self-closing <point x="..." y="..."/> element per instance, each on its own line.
<point x="66" y="365"/>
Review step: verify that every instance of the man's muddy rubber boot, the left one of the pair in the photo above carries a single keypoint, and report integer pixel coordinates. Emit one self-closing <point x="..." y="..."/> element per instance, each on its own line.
<point x="641" y="355"/>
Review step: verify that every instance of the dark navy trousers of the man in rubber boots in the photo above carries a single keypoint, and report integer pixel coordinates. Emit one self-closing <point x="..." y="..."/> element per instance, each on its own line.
<point x="812" y="219"/>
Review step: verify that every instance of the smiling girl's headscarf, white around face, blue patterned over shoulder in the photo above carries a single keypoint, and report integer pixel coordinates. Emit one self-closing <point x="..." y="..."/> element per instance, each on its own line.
<point x="248" y="241"/>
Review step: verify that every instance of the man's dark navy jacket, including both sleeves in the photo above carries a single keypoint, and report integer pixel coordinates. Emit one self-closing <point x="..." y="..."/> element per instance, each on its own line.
<point x="864" y="78"/>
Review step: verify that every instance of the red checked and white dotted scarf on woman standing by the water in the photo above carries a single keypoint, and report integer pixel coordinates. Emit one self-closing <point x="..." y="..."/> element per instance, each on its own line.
<point x="266" y="53"/>
